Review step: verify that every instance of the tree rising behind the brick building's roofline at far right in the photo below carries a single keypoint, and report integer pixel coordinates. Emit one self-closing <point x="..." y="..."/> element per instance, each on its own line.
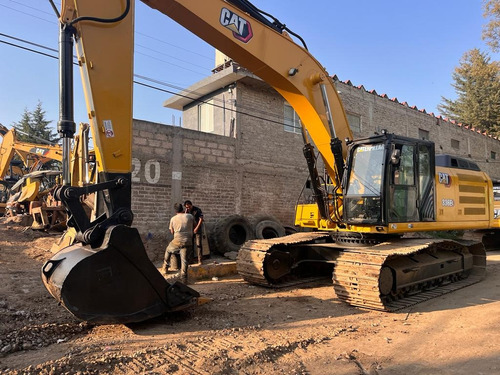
<point x="477" y="84"/>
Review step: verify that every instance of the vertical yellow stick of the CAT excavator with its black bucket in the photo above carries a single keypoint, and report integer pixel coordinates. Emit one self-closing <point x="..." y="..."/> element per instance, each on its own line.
<point x="105" y="276"/>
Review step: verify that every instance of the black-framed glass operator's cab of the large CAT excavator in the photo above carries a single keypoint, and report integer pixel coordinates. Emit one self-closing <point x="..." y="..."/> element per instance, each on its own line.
<point x="389" y="179"/>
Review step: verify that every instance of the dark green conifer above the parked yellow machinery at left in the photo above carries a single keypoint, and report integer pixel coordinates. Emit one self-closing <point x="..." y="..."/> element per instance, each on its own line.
<point x="34" y="124"/>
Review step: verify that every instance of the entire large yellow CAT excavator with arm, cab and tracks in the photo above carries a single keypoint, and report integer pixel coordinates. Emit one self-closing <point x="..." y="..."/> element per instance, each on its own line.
<point x="378" y="190"/>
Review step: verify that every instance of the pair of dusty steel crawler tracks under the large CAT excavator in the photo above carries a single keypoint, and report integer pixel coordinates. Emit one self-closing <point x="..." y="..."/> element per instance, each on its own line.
<point x="389" y="276"/>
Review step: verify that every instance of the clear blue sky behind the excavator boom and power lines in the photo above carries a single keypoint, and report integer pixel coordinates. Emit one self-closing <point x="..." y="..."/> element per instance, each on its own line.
<point x="405" y="49"/>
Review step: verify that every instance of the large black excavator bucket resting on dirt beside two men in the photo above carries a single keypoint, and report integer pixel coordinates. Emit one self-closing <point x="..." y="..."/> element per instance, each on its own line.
<point x="114" y="283"/>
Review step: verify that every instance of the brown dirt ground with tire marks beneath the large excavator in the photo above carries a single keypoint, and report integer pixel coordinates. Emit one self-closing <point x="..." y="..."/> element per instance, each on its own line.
<point x="244" y="330"/>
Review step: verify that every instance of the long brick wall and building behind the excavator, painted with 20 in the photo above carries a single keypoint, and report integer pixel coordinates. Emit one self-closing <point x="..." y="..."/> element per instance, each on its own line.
<point x="261" y="169"/>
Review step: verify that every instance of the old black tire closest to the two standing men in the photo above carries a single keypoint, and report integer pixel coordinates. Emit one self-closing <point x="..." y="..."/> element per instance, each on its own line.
<point x="230" y="233"/>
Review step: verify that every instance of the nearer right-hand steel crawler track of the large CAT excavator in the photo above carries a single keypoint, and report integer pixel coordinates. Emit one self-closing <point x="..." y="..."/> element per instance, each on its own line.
<point x="357" y="273"/>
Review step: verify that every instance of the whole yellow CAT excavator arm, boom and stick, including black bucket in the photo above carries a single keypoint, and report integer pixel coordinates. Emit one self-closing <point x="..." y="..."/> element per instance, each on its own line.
<point x="107" y="277"/>
